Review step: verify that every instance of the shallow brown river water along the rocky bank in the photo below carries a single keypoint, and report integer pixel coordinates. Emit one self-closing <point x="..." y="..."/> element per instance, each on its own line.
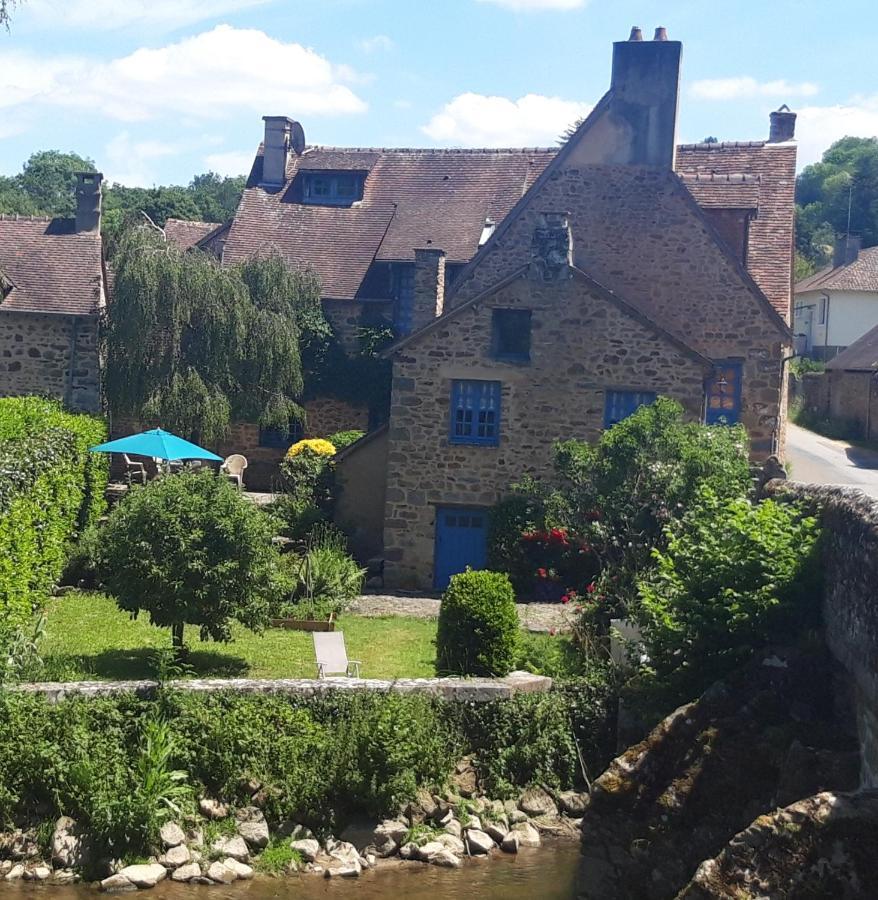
<point x="546" y="873"/>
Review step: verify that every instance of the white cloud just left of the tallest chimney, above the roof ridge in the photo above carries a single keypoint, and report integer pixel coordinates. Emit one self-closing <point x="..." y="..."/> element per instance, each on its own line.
<point x="477" y="120"/>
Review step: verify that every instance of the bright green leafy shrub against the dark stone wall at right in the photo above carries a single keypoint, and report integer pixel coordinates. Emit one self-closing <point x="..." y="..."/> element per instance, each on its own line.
<point x="735" y="576"/>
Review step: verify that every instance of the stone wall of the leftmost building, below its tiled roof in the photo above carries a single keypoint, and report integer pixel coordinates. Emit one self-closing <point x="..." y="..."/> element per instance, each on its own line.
<point x="54" y="355"/>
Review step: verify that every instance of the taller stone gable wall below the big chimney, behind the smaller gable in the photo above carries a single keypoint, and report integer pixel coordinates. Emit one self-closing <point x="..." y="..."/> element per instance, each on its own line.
<point x="625" y="222"/>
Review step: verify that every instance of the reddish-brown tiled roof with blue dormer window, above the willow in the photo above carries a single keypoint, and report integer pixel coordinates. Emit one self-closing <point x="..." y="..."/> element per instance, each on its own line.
<point x="412" y="198"/>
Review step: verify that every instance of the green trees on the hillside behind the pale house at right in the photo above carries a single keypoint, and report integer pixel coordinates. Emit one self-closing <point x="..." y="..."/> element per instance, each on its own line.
<point x="845" y="179"/>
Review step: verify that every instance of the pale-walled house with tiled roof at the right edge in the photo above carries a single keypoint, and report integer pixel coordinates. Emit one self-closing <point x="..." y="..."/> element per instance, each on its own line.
<point x="838" y="305"/>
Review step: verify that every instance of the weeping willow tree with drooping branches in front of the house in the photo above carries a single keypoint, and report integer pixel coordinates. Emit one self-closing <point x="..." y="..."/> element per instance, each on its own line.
<point x="194" y="345"/>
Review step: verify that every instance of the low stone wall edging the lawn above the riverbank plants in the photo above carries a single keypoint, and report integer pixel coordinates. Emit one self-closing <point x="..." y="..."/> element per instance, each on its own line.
<point x="472" y="690"/>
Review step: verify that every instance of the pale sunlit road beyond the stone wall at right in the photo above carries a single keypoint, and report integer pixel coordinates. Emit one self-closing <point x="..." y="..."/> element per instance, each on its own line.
<point x="821" y="460"/>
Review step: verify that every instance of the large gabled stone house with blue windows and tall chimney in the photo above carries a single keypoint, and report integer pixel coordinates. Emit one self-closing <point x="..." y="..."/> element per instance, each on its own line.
<point x="630" y="268"/>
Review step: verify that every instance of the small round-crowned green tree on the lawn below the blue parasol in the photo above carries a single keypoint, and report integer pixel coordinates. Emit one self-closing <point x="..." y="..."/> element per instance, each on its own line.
<point x="189" y="549"/>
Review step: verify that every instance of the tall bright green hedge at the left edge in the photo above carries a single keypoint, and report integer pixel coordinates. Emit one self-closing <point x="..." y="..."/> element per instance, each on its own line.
<point x="50" y="488"/>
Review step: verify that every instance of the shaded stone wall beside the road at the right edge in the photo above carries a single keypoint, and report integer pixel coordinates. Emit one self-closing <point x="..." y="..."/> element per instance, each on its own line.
<point x="850" y="604"/>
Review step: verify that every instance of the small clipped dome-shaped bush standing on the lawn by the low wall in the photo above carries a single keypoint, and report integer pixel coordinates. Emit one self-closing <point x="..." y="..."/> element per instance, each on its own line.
<point x="478" y="625"/>
